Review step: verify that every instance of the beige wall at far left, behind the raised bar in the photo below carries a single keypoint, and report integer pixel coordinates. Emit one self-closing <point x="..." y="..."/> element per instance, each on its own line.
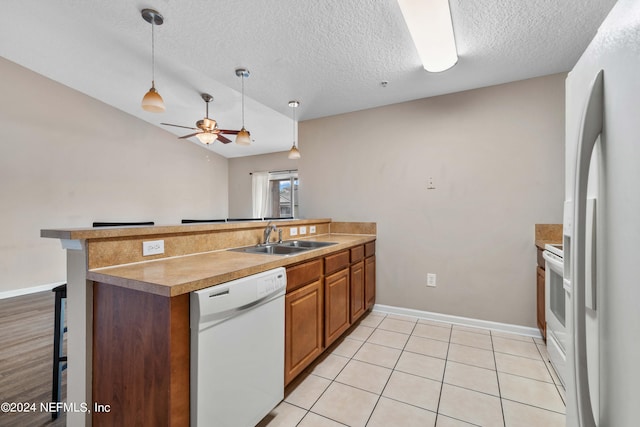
<point x="67" y="160"/>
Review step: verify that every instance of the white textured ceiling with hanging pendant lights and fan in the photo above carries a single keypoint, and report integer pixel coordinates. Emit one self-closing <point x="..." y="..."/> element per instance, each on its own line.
<point x="329" y="54"/>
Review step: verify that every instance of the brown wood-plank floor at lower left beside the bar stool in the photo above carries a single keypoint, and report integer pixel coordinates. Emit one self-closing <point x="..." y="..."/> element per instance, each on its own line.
<point x="26" y="358"/>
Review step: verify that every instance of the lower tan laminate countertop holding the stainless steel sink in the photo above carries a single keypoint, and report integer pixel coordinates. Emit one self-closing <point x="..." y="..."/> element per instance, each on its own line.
<point x="179" y="275"/>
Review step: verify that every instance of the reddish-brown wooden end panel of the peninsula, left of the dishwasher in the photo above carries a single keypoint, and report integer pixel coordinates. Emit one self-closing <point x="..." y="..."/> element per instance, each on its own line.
<point x="140" y="357"/>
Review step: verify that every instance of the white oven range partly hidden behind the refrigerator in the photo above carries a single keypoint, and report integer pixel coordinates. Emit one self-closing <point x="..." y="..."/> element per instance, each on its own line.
<point x="557" y="310"/>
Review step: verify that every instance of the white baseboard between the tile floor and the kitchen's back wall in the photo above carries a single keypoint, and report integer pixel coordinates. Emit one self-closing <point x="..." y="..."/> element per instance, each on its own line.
<point x="457" y="320"/>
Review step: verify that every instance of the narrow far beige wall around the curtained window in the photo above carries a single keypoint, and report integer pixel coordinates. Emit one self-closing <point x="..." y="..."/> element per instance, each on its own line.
<point x="240" y="202"/>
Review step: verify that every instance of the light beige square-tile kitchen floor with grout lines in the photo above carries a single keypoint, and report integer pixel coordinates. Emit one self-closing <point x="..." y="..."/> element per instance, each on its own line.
<point x="401" y="371"/>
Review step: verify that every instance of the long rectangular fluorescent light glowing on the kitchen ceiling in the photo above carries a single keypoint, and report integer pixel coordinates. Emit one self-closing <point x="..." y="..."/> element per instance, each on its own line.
<point x="431" y="28"/>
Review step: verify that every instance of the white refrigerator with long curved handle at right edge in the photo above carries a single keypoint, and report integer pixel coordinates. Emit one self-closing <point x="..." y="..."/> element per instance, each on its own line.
<point x="602" y="225"/>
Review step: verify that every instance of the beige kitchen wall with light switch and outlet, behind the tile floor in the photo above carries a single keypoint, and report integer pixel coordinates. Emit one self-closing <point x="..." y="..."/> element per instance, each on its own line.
<point x="496" y="156"/>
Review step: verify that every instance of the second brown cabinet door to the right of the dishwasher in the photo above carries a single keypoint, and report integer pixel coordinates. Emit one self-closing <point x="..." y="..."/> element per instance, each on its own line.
<point x="336" y="305"/>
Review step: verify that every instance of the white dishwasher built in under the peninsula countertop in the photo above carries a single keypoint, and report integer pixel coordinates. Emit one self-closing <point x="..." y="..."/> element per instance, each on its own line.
<point x="237" y="350"/>
